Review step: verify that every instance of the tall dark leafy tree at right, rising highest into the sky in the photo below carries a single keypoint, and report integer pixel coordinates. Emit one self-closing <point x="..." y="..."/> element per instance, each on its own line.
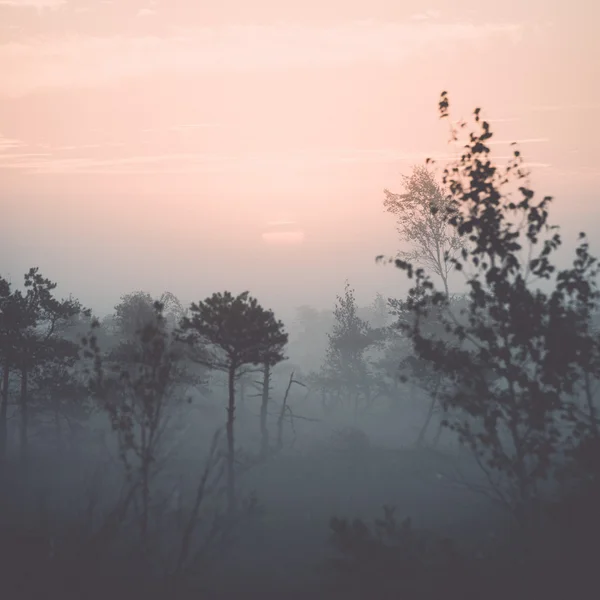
<point x="520" y="358"/>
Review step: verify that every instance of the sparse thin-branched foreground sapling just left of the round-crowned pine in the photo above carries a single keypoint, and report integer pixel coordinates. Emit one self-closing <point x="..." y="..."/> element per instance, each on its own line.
<point x="141" y="387"/>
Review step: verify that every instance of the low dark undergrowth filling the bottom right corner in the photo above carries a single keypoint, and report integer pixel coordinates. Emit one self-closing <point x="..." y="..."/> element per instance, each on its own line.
<point x="391" y="559"/>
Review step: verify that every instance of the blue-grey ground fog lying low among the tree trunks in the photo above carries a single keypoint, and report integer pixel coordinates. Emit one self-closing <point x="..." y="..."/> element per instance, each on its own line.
<point x="327" y="457"/>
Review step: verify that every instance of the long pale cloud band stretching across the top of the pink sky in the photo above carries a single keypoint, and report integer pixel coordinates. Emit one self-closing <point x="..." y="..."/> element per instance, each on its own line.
<point x="52" y="62"/>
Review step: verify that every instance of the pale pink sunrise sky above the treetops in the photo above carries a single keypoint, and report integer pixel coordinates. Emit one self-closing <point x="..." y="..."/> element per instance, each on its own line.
<point x="245" y="144"/>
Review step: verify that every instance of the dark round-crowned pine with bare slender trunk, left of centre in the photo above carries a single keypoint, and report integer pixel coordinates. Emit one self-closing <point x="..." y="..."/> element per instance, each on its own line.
<point x="237" y="332"/>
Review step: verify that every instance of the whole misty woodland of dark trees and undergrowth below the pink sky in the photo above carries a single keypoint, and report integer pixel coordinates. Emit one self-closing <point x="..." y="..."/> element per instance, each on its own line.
<point x="166" y="452"/>
